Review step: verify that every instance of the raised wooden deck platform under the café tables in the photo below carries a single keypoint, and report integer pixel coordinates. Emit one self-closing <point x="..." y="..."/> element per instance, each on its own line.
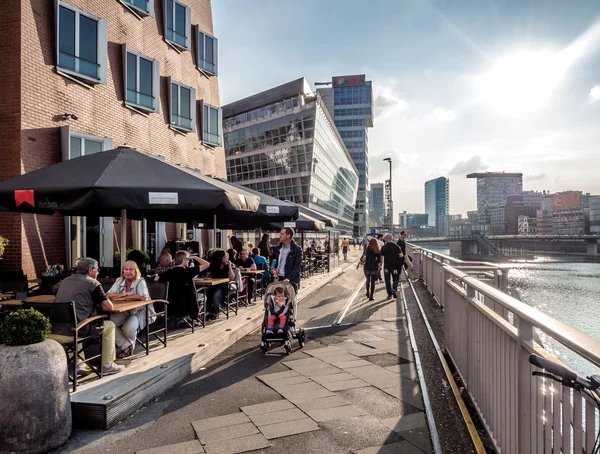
<point x="101" y="403"/>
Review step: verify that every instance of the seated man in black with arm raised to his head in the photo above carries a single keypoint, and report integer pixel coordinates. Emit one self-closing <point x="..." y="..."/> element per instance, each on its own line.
<point x="182" y="293"/>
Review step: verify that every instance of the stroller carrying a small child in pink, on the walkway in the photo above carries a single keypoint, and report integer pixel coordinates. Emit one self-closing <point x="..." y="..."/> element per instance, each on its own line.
<point x="280" y="306"/>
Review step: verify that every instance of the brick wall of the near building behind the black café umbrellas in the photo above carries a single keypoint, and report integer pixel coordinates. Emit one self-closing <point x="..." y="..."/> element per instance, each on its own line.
<point x="46" y="95"/>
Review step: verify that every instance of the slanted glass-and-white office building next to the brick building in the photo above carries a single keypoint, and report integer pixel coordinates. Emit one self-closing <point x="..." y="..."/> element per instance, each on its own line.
<point x="284" y="143"/>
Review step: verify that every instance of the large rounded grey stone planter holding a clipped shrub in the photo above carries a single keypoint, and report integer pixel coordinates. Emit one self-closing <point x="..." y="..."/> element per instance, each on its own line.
<point x="35" y="409"/>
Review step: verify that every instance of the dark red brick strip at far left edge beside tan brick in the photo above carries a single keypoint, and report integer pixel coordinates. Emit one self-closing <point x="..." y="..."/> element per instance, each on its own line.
<point x="10" y="120"/>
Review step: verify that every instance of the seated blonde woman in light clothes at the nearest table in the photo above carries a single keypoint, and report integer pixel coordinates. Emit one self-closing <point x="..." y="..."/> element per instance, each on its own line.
<point x="132" y="287"/>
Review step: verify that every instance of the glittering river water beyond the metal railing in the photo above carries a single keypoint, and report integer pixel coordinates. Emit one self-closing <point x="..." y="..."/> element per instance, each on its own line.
<point x="565" y="287"/>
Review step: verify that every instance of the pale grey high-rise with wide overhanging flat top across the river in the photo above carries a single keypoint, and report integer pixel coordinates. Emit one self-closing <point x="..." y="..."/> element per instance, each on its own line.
<point x="492" y="190"/>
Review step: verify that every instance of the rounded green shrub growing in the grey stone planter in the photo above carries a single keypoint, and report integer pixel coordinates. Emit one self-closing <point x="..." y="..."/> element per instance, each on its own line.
<point x="24" y="327"/>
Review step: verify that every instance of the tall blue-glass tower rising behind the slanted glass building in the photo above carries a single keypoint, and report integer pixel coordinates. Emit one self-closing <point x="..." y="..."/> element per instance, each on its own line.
<point x="350" y="103"/>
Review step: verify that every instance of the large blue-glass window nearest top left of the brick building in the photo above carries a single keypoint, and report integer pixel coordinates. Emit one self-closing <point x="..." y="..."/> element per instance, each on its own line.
<point x="81" y="44"/>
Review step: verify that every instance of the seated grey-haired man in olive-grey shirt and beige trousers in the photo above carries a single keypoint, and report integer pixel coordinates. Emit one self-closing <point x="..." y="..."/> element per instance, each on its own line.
<point x="88" y="295"/>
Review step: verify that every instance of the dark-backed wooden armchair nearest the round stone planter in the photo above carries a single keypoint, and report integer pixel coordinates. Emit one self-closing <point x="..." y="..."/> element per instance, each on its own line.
<point x="74" y="336"/>
